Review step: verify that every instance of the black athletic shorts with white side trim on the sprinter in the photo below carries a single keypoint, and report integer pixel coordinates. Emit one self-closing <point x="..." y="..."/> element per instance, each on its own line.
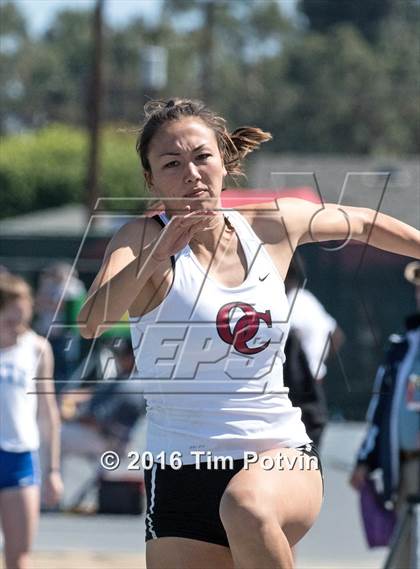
<point x="185" y="502"/>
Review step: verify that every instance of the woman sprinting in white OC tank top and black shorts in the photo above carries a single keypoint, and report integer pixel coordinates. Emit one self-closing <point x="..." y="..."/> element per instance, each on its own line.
<point x="208" y="316"/>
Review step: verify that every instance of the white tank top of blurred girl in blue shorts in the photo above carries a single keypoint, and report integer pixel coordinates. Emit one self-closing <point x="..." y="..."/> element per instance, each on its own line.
<point x="18" y="403"/>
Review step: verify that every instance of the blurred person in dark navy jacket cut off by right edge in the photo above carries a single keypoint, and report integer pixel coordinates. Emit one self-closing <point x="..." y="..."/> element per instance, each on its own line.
<point x="390" y="451"/>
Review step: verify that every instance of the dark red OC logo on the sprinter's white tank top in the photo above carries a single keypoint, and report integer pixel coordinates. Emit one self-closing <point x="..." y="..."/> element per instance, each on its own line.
<point x="245" y="328"/>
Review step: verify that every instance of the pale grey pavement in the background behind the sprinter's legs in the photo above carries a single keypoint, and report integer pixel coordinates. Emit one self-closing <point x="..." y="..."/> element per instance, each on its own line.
<point x="74" y="541"/>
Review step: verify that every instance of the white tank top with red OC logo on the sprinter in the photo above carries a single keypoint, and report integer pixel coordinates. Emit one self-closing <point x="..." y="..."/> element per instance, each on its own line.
<point x="210" y="360"/>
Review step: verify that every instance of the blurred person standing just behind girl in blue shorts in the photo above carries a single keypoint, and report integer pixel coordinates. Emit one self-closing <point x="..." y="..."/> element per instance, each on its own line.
<point x="58" y="285"/>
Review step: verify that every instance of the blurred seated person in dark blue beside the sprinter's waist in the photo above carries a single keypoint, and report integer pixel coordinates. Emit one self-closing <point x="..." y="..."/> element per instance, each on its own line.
<point x="103" y="418"/>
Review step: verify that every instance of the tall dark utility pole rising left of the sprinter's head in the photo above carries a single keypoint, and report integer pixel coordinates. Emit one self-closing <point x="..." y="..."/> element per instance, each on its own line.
<point x="94" y="108"/>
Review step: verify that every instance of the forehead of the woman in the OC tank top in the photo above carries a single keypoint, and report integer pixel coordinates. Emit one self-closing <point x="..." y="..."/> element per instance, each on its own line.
<point x="184" y="134"/>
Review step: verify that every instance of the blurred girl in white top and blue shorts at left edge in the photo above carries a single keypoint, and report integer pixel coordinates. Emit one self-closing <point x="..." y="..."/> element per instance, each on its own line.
<point x="24" y="357"/>
